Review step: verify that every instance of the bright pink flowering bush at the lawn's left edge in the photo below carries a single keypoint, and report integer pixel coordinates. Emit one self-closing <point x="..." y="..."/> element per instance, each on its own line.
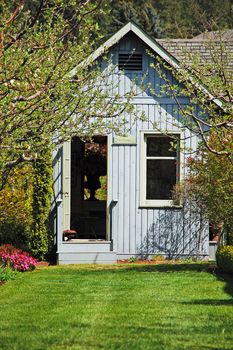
<point x="16" y="258"/>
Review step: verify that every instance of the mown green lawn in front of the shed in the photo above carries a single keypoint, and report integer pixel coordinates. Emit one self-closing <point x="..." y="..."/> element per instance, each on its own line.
<point x="118" y="307"/>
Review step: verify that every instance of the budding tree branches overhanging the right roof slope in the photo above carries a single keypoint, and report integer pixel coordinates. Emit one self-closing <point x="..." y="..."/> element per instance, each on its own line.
<point x="207" y="84"/>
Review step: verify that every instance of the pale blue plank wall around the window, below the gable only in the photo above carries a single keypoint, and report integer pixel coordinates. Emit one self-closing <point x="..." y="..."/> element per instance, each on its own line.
<point x="148" y="231"/>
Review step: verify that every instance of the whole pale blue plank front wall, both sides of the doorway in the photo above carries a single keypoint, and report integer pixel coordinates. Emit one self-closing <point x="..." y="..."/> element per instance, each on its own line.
<point x="135" y="230"/>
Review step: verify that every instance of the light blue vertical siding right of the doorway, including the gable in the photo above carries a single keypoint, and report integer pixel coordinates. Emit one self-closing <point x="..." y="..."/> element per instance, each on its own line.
<point x="149" y="231"/>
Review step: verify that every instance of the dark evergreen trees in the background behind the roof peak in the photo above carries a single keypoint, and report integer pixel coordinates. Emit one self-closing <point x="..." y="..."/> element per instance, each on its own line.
<point x="168" y="18"/>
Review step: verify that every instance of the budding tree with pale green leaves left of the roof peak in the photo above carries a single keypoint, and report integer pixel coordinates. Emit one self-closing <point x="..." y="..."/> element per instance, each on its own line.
<point x="41" y="42"/>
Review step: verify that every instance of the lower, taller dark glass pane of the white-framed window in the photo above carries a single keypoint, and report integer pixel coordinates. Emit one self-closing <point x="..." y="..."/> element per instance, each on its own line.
<point x="161" y="177"/>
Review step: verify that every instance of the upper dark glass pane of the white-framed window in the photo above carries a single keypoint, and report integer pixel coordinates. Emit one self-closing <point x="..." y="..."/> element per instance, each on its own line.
<point x="160" y="147"/>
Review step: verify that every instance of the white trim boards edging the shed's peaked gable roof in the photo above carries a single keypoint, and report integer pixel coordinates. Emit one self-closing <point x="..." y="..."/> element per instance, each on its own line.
<point x="153" y="44"/>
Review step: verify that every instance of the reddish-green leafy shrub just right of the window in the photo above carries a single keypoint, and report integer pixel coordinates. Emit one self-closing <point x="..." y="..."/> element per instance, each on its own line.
<point x="209" y="186"/>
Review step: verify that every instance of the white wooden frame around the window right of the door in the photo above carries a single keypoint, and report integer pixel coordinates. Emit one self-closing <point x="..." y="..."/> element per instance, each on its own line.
<point x="143" y="159"/>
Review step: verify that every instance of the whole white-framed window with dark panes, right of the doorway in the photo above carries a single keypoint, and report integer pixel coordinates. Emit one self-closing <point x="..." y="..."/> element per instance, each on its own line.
<point x="160" y="169"/>
